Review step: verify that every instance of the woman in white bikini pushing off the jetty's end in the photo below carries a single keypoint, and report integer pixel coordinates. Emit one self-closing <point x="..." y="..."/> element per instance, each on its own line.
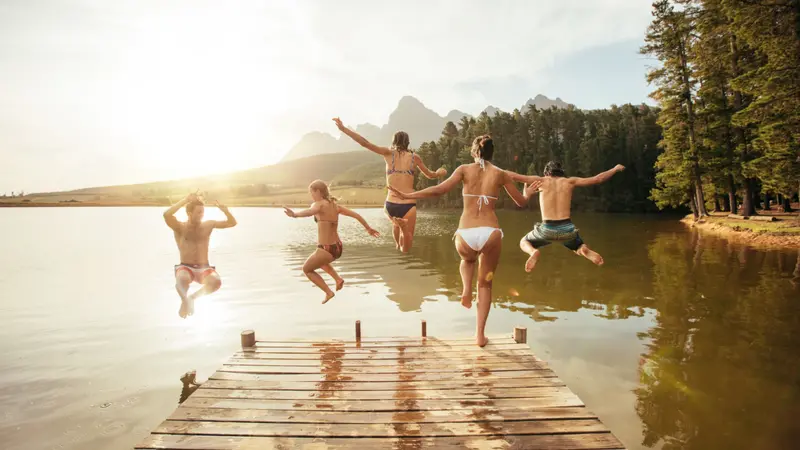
<point x="479" y="235"/>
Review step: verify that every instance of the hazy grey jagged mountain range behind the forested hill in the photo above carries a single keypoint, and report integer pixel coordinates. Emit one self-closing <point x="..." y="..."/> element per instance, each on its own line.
<point x="411" y="116"/>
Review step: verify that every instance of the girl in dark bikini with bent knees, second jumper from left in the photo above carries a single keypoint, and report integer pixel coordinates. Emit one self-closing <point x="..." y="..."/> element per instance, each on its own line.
<point x="326" y="213"/>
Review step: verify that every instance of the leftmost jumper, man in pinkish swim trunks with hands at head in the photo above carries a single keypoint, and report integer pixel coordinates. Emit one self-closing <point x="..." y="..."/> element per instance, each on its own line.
<point x="192" y="238"/>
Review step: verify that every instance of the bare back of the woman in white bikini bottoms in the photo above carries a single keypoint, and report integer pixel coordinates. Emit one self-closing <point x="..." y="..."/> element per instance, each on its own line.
<point x="479" y="211"/>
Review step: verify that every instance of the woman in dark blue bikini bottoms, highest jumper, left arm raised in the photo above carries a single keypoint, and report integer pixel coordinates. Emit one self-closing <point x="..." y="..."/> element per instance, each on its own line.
<point x="400" y="163"/>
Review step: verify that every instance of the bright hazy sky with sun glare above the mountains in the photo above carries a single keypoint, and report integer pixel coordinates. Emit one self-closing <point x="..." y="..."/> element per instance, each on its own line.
<point x="101" y="92"/>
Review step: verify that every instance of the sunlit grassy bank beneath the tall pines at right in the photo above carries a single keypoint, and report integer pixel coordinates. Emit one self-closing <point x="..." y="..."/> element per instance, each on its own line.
<point x="728" y="229"/>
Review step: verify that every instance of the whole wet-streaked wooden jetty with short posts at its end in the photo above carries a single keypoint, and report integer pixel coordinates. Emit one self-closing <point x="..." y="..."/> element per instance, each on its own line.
<point x="383" y="392"/>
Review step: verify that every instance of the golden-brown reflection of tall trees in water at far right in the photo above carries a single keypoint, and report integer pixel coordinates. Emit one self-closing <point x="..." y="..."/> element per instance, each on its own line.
<point x="722" y="369"/>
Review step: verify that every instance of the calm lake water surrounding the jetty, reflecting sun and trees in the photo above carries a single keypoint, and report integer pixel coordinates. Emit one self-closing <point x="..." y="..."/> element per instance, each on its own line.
<point x="679" y="341"/>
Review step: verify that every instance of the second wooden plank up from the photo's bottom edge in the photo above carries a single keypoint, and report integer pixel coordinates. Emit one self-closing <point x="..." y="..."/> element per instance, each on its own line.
<point x="381" y="430"/>
